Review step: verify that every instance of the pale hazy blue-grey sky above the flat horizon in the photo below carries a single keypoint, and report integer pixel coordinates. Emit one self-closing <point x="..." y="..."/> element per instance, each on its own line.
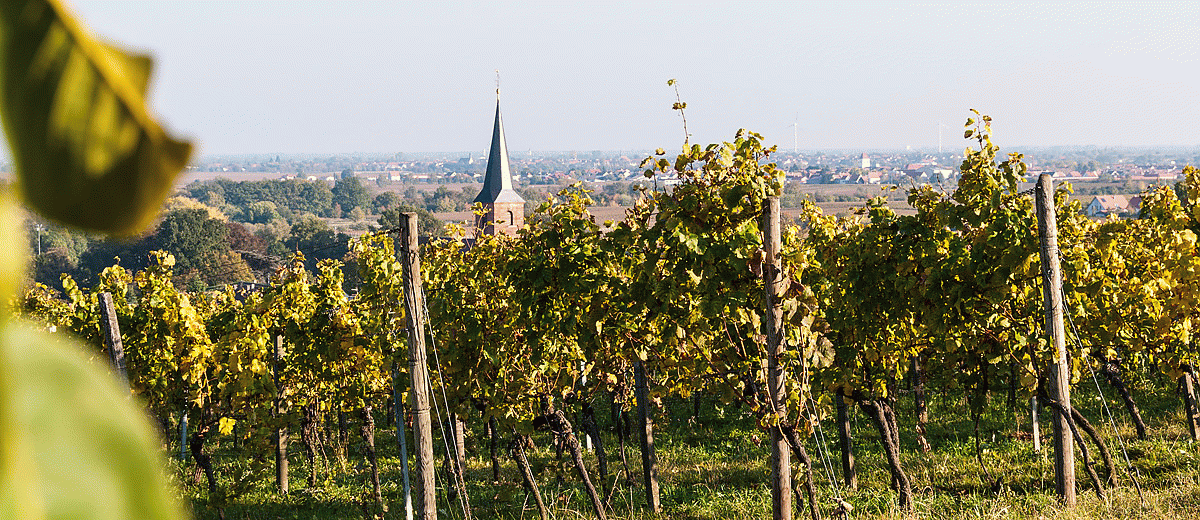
<point x="391" y="76"/>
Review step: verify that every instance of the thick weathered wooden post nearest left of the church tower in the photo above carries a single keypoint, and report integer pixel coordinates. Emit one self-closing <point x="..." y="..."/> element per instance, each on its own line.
<point x="423" y="431"/>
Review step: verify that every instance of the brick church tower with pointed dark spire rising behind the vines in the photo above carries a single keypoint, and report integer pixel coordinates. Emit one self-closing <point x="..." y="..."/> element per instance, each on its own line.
<point x="505" y="207"/>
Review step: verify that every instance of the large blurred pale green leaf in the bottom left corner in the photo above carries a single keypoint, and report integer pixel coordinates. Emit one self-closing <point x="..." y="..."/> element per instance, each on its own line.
<point x="73" y="443"/>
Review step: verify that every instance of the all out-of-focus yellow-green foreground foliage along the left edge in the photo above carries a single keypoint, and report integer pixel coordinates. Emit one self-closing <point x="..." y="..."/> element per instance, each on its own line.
<point x="87" y="154"/>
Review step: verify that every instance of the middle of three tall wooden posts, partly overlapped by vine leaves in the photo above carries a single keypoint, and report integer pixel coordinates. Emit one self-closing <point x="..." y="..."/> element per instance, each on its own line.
<point x="773" y="284"/>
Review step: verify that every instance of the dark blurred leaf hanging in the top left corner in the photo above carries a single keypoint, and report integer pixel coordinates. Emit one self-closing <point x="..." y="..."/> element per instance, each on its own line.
<point x="86" y="150"/>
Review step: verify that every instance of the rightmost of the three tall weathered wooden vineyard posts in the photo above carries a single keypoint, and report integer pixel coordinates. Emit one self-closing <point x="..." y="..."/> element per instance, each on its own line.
<point x="1059" y="380"/>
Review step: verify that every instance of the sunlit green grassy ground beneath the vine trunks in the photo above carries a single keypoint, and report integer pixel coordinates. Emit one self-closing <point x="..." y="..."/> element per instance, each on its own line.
<point x="718" y="469"/>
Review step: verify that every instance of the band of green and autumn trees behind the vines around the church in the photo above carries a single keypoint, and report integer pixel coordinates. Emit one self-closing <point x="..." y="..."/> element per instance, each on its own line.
<point x="225" y="231"/>
